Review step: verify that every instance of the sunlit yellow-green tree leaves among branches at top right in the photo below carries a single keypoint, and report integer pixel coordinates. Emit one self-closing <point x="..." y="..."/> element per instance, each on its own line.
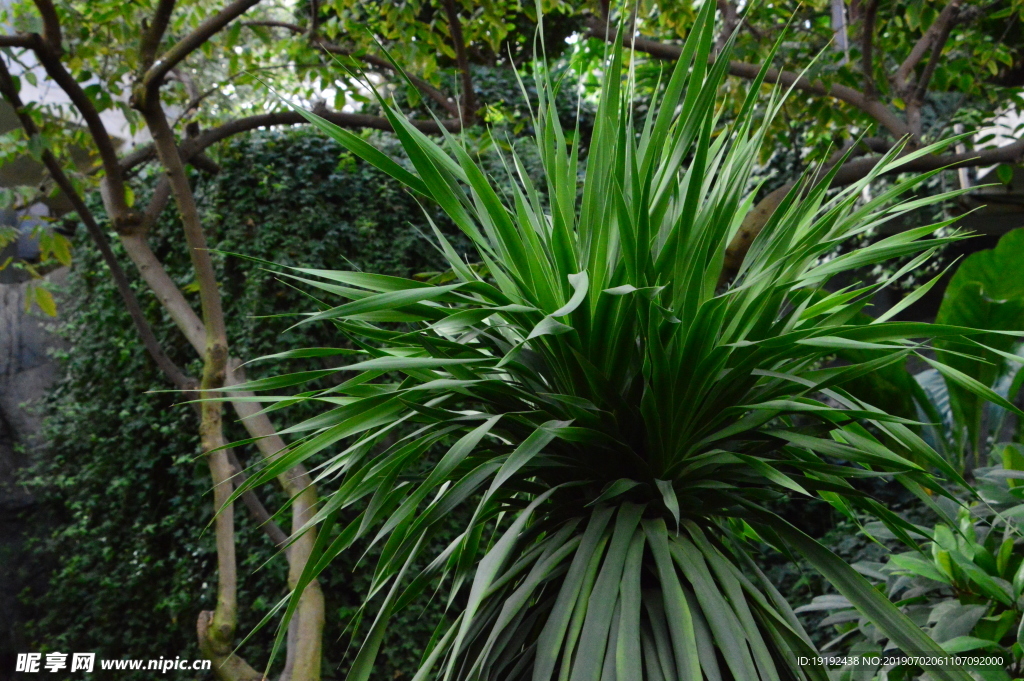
<point x="967" y="87"/>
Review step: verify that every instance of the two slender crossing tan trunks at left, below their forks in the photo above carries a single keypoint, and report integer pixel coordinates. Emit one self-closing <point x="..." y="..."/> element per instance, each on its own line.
<point x="208" y="336"/>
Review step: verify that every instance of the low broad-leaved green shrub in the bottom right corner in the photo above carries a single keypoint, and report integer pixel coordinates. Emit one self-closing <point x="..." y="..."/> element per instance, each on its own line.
<point x="965" y="589"/>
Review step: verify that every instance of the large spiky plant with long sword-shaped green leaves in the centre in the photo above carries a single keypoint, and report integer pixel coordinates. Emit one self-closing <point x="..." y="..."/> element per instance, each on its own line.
<point x="617" y="421"/>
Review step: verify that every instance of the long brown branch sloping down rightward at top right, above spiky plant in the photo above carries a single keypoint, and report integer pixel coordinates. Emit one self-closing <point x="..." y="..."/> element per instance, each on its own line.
<point x="873" y="108"/>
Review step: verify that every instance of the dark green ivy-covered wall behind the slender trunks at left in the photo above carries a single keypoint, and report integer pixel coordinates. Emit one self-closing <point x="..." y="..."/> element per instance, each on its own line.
<point x="121" y="487"/>
